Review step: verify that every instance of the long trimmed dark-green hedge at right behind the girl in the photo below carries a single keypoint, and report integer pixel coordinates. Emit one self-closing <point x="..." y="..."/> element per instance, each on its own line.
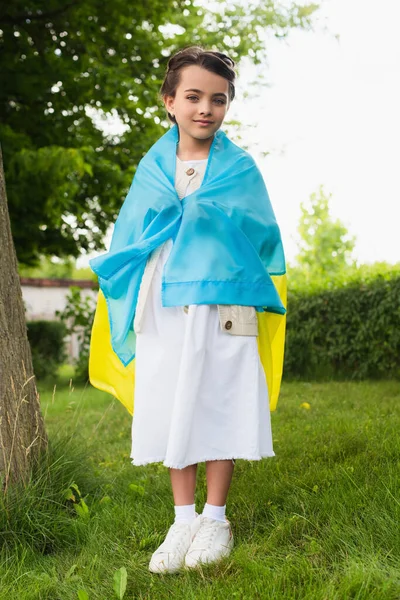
<point x="352" y="332"/>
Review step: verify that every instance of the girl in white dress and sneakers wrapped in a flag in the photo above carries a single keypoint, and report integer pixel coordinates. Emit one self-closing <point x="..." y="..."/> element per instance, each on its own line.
<point x="193" y="288"/>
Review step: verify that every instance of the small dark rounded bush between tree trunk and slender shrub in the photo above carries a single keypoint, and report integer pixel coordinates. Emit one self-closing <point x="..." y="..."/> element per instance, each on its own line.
<point x="46" y="339"/>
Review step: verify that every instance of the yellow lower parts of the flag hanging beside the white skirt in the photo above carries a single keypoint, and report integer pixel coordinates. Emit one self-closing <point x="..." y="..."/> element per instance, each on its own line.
<point x="107" y="373"/>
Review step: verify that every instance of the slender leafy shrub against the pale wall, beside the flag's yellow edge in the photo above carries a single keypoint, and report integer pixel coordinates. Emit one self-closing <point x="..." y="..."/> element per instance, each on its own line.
<point x="78" y="318"/>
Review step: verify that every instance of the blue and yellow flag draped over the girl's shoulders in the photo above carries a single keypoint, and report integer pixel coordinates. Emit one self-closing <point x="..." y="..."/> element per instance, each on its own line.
<point x="227" y="249"/>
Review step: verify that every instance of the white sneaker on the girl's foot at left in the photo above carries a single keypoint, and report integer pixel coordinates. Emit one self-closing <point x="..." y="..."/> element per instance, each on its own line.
<point x="170" y="556"/>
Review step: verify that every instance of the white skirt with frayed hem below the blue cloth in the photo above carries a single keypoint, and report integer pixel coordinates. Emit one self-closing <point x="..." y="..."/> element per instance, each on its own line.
<point x="200" y="393"/>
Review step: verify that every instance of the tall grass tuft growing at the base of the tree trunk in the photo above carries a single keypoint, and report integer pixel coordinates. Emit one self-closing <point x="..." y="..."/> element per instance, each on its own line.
<point x="39" y="517"/>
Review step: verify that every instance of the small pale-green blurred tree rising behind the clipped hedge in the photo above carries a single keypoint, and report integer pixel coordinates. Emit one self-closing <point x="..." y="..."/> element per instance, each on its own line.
<point x="325" y="247"/>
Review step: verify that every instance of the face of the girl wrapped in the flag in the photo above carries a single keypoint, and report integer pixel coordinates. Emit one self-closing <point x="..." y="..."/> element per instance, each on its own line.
<point x="201" y="102"/>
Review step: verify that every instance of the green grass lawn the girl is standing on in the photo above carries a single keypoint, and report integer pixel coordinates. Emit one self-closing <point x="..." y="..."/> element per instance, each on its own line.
<point x="319" y="521"/>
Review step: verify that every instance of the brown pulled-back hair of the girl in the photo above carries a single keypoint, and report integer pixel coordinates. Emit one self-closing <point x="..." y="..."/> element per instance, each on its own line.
<point x="216" y="62"/>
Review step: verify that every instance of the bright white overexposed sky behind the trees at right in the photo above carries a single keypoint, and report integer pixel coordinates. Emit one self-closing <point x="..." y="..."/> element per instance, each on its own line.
<point x="329" y="115"/>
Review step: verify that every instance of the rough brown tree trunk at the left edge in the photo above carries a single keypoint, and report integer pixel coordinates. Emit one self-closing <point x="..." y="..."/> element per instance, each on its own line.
<point x="22" y="432"/>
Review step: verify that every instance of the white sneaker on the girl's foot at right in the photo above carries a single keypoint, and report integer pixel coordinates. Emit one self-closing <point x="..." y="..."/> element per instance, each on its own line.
<point x="213" y="541"/>
